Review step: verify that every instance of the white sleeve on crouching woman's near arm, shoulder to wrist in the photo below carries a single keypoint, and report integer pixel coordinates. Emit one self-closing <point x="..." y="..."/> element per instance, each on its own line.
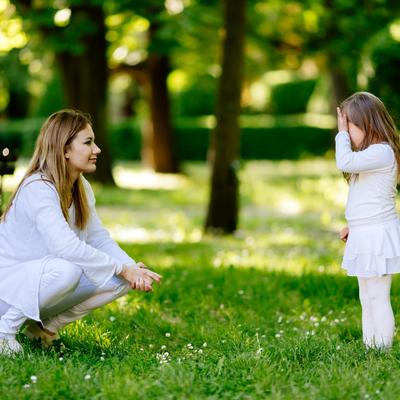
<point x="42" y="205"/>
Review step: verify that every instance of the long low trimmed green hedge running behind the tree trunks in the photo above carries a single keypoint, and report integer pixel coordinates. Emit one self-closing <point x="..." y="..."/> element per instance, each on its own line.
<point x="261" y="137"/>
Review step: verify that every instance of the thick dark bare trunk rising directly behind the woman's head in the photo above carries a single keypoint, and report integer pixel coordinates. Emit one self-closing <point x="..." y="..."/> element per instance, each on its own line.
<point x="85" y="77"/>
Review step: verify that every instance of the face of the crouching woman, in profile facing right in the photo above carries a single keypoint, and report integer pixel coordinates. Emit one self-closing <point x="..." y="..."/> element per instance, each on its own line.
<point x="82" y="152"/>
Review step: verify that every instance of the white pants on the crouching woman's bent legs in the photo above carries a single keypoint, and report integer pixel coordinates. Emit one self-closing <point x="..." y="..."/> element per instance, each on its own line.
<point x="65" y="295"/>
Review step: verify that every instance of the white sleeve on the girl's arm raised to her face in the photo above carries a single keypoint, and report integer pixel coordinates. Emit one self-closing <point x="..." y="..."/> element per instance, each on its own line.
<point x="373" y="158"/>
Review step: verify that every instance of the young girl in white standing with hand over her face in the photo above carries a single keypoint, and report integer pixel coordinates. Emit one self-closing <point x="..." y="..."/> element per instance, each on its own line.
<point x="368" y="152"/>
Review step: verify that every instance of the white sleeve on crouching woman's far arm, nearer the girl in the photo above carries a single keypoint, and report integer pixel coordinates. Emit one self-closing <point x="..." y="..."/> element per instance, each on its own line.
<point x="98" y="237"/>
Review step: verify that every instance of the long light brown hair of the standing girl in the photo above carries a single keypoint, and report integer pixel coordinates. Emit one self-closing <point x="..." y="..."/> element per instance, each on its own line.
<point x="368" y="113"/>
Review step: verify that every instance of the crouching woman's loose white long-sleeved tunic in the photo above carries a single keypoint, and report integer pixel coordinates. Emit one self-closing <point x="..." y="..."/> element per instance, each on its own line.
<point x="36" y="231"/>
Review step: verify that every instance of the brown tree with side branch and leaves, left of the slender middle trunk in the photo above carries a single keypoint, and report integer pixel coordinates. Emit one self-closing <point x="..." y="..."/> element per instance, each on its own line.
<point x="151" y="73"/>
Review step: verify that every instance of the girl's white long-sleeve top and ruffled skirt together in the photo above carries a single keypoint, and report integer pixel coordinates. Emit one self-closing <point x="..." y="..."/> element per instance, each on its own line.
<point x="373" y="245"/>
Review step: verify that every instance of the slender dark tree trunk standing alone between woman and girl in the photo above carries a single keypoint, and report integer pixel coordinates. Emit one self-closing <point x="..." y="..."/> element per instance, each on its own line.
<point x="223" y="206"/>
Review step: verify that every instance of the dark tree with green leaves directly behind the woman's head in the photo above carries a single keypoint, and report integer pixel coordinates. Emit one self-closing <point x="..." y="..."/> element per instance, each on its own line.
<point x="80" y="48"/>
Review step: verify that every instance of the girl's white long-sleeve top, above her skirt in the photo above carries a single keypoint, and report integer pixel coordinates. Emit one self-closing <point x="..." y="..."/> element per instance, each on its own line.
<point x="372" y="189"/>
